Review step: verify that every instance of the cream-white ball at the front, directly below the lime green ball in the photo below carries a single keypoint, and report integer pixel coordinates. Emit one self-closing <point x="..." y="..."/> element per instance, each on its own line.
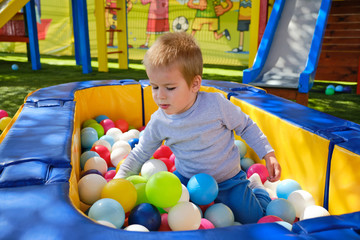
<point x="184" y="216"/>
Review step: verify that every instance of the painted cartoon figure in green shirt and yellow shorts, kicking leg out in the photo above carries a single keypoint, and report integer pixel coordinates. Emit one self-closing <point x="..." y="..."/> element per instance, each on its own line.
<point x="208" y="12"/>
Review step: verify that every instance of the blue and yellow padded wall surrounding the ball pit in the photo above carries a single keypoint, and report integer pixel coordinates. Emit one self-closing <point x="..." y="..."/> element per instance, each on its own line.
<point x="38" y="181"/>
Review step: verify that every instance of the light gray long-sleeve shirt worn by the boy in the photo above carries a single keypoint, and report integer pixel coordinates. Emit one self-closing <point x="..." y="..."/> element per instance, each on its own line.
<point x="202" y="139"/>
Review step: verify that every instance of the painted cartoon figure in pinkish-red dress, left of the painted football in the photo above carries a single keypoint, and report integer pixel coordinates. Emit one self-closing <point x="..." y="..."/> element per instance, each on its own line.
<point x="158" y="19"/>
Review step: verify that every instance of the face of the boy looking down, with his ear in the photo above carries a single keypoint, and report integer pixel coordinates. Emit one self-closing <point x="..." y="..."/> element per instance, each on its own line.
<point x="170" y="90"/>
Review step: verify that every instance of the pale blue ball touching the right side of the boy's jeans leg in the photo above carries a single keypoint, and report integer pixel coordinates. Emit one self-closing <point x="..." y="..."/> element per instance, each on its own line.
<point x="283" y="209"/>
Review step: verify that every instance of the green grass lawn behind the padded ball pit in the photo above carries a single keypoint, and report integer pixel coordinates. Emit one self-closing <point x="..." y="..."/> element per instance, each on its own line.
<point x="16" y="85"/>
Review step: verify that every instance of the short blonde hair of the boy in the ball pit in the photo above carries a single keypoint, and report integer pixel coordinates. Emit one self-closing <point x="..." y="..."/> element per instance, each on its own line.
<point x="180" y="49"/>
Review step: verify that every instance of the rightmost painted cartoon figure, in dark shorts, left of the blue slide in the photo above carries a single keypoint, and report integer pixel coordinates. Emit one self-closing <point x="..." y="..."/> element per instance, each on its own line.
<point x="244" y="18"/>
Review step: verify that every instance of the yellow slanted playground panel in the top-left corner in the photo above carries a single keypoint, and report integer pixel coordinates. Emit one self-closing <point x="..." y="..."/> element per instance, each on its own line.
<point x="8" y="8"/>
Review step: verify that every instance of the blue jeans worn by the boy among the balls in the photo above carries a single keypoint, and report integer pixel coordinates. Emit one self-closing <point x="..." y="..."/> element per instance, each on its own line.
<point x="247" y="205"/>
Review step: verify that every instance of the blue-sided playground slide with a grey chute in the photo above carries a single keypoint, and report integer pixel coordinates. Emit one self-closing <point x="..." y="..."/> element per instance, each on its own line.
<point x="289" y="50"/>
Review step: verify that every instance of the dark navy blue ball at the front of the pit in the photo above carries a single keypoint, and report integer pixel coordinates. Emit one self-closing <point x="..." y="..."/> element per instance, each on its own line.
<point x="146" y="215"/>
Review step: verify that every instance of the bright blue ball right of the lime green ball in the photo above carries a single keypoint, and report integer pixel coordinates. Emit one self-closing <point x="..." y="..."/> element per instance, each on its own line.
<point x="203" y="189"/>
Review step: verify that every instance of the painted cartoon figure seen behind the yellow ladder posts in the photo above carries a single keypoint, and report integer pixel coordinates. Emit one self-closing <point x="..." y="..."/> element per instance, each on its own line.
<point x="111" y="17"/>
